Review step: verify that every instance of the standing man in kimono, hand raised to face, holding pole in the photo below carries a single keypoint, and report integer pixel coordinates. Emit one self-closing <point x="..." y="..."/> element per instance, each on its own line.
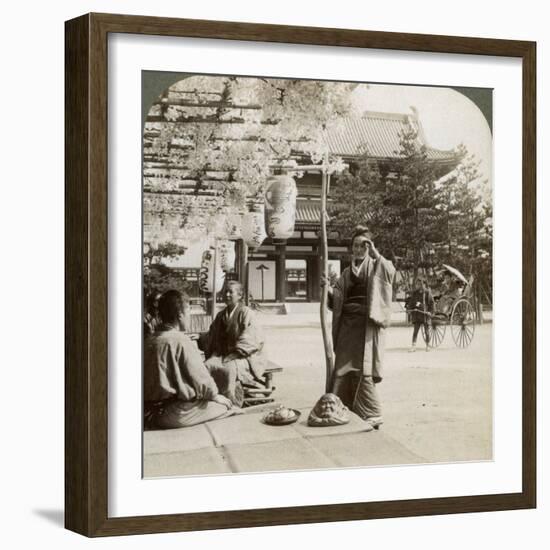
<point x="361" y="303"/>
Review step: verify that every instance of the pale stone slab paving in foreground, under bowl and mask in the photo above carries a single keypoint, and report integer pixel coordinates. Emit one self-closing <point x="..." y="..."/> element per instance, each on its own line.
<point x="243" y="443"/>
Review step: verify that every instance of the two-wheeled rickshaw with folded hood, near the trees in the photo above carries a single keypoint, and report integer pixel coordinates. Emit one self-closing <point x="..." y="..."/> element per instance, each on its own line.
<point x="453" y="307"/>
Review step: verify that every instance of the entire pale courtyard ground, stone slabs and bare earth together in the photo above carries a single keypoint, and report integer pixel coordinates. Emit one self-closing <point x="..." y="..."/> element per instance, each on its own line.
<point x="437" y="408"/>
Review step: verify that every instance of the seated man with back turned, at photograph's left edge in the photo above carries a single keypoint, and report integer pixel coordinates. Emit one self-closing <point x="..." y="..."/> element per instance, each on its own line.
<point x="177" y="388"/>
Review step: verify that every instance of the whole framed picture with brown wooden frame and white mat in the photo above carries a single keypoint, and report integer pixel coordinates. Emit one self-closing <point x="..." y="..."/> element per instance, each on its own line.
<point x="300" y="280"/>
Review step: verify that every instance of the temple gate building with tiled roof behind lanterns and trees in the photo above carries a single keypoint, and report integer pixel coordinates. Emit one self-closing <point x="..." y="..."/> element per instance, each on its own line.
<point x="292" y="271"/>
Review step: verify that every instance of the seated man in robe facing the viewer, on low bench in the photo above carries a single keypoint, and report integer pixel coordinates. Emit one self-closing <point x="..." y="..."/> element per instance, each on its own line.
<point x="234" y="347"/>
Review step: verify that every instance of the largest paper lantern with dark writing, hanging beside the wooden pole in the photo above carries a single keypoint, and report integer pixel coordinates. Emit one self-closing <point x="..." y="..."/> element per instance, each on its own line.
<point x="280" y="201"/>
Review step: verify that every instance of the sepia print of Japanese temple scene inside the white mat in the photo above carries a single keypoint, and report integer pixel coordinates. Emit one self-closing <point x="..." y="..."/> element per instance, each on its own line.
<point x="317" y="274"/>
